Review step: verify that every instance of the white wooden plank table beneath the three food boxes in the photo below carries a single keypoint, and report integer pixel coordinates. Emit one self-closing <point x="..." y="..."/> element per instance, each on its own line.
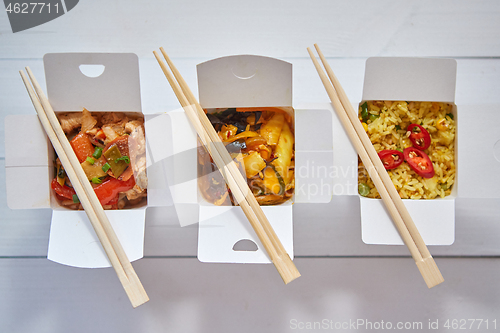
<point x="343" y="280"/>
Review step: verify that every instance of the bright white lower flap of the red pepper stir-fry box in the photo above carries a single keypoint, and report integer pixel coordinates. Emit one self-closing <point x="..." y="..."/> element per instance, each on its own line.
<point x="73" y="241"/>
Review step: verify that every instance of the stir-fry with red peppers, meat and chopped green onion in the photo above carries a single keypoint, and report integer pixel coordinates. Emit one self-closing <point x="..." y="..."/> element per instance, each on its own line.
<point x="111" y="149"/>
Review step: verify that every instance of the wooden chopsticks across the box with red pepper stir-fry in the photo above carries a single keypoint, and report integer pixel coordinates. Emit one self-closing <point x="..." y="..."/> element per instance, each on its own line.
<point x="85" y="193"/>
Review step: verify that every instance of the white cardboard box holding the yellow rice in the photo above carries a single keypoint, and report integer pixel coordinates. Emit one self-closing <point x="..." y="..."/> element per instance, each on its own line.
<point x="412" y="79"/>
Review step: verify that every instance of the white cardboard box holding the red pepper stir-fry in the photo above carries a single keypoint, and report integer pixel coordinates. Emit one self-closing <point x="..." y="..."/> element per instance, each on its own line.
<point x="113" y="86"/>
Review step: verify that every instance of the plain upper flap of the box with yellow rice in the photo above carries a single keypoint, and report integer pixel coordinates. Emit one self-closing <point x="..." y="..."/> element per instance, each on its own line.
<point x="410" y="79"/>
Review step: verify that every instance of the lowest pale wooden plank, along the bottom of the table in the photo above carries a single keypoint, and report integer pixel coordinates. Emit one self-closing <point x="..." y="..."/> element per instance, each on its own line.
<point x="189" y="296"/>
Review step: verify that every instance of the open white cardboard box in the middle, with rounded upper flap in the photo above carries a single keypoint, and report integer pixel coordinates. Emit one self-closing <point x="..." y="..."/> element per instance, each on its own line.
<point x="253" y="81"/>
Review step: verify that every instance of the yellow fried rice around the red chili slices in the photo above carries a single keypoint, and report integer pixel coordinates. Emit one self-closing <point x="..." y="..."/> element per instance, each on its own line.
<point x="384" y="133"/>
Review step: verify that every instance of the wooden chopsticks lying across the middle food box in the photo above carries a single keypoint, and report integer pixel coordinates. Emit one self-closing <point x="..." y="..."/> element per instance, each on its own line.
<point x="238" y="185"/>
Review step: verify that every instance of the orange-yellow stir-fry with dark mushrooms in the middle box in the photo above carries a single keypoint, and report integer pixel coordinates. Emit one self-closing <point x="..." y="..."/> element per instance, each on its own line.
<point x="261" y="142"/>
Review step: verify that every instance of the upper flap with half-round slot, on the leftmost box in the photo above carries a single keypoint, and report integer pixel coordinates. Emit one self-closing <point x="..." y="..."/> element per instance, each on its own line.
<point x="116" y="89"/>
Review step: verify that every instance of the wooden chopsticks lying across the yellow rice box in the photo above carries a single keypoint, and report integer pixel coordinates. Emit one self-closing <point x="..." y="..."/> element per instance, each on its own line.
<point x="377" y="172"/>
